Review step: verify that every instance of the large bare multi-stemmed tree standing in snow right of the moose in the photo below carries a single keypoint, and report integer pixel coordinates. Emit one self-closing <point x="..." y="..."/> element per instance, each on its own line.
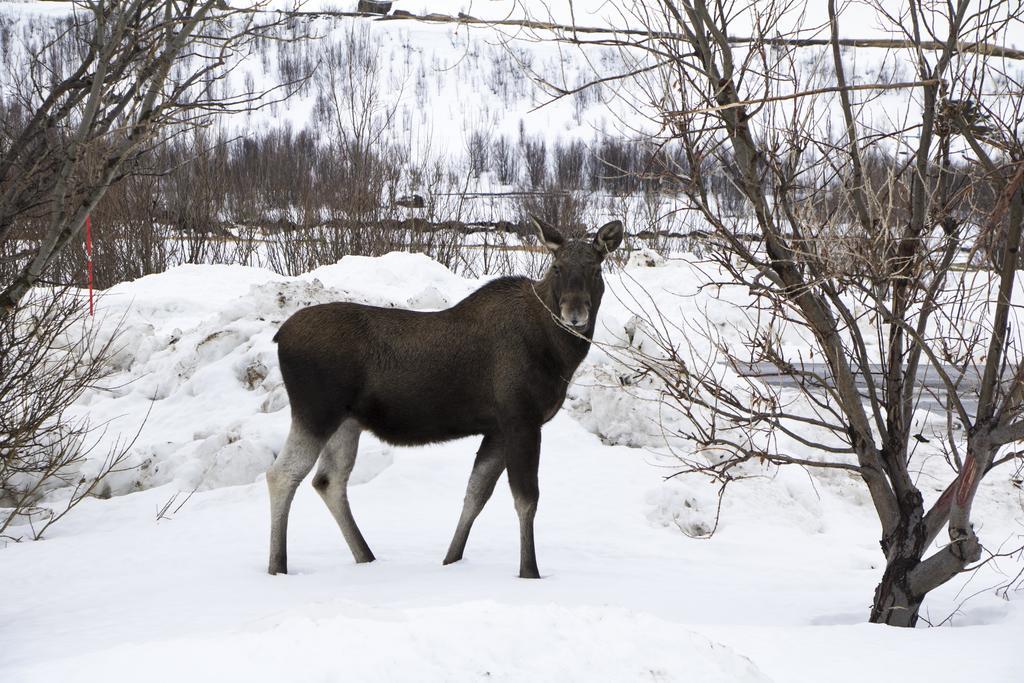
<point x="867" y="264"/>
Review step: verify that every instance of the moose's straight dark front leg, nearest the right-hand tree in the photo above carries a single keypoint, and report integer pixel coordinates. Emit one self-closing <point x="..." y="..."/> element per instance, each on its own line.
<point x="523" y="459"/>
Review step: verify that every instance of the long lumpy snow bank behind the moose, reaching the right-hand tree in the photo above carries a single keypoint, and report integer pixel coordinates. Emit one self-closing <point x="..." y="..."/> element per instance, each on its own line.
<point x="197" y="372"/>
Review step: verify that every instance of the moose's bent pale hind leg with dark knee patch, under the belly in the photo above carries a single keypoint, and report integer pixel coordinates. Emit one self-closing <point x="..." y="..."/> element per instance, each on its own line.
<point x="331" y="482"/>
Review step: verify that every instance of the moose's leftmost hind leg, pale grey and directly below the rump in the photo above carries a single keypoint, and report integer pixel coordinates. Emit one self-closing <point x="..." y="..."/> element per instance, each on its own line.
<point x="283" y="479"/>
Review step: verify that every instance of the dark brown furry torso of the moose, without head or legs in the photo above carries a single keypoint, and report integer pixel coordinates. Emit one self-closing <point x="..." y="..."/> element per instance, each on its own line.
<point x="414" y="378"/>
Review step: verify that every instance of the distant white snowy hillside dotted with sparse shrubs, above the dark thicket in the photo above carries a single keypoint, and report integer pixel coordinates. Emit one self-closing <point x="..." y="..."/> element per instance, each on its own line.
<point x="439" y="86"/>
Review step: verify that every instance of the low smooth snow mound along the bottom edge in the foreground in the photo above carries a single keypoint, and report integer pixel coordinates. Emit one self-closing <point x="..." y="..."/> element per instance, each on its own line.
<point x="480" y="642"/>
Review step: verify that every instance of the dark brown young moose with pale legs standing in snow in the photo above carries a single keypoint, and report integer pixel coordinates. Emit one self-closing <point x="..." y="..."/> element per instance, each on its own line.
<point x="497" y="364"/>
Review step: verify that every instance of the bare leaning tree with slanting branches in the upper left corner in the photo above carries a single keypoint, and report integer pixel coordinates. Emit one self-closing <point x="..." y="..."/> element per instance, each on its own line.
<point x="118" y="78"/>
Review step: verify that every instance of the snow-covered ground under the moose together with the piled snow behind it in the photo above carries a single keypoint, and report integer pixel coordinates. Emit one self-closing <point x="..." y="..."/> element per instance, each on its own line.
<point x="782" y="592"/>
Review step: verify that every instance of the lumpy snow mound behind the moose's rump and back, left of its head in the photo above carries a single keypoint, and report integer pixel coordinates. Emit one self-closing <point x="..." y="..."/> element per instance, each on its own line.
<point x="196" y="370"/>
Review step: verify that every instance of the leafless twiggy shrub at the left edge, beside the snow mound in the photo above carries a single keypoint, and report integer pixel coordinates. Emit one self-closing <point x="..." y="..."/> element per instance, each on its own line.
<point x="51" y="355"/>
